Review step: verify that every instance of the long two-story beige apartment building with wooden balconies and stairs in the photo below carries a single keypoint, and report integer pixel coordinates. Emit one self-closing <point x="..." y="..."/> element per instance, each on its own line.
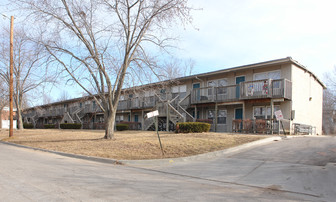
<point x="236" y="99"/>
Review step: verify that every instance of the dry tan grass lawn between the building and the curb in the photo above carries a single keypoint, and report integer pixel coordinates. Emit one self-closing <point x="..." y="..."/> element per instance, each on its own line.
<point x="127" y="144"/>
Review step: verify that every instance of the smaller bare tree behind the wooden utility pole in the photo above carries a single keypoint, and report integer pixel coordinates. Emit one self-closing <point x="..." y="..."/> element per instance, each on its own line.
<point x="27" y="72"/>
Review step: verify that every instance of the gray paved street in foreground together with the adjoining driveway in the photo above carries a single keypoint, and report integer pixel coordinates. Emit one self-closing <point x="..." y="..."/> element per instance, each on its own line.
<point x="291" y="170"/>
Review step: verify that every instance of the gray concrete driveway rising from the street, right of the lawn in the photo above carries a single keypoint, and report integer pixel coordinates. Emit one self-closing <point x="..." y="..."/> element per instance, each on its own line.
<point x="305" y="165"/>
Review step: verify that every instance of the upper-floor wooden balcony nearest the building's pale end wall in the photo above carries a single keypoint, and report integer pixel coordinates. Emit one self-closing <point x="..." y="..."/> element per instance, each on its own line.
<point x="260" y="89"/>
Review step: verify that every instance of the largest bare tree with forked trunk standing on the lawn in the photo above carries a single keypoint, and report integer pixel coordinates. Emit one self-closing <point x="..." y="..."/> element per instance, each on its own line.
<point x="99" y="43"/>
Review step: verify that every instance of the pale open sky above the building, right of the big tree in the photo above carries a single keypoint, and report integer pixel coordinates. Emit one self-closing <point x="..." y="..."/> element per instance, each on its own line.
<point x="233" y="33"/>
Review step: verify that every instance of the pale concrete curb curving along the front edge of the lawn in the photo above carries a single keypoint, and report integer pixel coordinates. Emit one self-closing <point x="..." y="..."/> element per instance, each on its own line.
<point x="167" y="161"/>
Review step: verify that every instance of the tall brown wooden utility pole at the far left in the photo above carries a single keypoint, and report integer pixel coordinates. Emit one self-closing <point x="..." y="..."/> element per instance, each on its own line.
<point x="11" y="79"/>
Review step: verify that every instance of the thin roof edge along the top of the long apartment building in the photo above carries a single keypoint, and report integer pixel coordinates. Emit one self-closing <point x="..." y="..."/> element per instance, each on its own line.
<point x="287" y="60"/>
